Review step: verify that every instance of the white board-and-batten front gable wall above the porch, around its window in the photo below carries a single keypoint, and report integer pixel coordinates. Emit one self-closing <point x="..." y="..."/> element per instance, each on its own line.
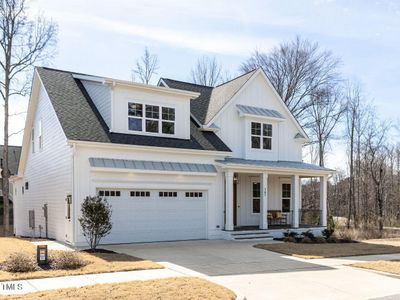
<point x="258" y="94"/>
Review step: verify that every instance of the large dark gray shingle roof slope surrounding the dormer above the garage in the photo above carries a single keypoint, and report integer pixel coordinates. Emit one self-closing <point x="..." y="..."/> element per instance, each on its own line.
<point x="81" y="120"/>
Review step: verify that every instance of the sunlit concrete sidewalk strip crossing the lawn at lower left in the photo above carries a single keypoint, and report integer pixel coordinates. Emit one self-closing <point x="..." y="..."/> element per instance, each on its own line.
<point x="35" y="285"/>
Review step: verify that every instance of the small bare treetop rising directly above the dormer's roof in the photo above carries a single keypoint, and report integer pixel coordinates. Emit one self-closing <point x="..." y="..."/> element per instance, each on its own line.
<point x="146" y="66"/>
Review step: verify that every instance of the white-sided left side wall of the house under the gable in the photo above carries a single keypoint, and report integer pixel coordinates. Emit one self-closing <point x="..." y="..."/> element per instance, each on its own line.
<point x="48" y="173"/>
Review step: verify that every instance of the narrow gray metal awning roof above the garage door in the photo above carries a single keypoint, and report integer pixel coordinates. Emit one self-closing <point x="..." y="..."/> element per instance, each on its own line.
<point x="151" y="165"/>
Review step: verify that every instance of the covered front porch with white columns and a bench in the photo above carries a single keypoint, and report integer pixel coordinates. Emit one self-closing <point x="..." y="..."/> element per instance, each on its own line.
<point x="263" y="198"/>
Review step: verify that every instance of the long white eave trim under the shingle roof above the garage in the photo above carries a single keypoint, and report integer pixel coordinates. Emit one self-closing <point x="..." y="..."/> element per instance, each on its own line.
<point x="150" y="149"/>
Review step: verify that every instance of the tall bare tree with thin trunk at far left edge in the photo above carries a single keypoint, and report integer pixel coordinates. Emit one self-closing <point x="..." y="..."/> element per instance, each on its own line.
<point x="24" y="42"/>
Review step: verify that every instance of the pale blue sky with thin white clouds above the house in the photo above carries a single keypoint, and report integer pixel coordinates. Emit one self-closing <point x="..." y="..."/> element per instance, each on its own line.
<point x="106" y="37"/>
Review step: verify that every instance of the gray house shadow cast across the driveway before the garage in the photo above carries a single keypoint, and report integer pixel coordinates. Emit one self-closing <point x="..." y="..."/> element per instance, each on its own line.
<point x="216" y="257"/>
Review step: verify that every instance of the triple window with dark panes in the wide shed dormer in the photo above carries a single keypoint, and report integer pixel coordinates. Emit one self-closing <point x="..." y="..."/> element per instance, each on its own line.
<point x="156" y="119"/>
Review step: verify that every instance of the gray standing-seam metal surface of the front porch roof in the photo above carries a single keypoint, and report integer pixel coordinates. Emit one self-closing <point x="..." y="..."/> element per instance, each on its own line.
<point x="273" y="164"/>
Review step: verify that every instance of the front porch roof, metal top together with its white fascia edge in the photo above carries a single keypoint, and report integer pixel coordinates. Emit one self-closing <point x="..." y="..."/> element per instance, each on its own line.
<point x="242" y="163"/>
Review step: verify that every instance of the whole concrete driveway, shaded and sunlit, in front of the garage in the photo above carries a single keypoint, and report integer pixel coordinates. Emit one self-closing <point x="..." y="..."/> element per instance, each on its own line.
<point x="260" y="274"/>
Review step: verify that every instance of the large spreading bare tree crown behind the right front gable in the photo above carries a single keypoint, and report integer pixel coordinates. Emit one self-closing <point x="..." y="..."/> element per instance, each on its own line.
<point x="297" y="70"/>
